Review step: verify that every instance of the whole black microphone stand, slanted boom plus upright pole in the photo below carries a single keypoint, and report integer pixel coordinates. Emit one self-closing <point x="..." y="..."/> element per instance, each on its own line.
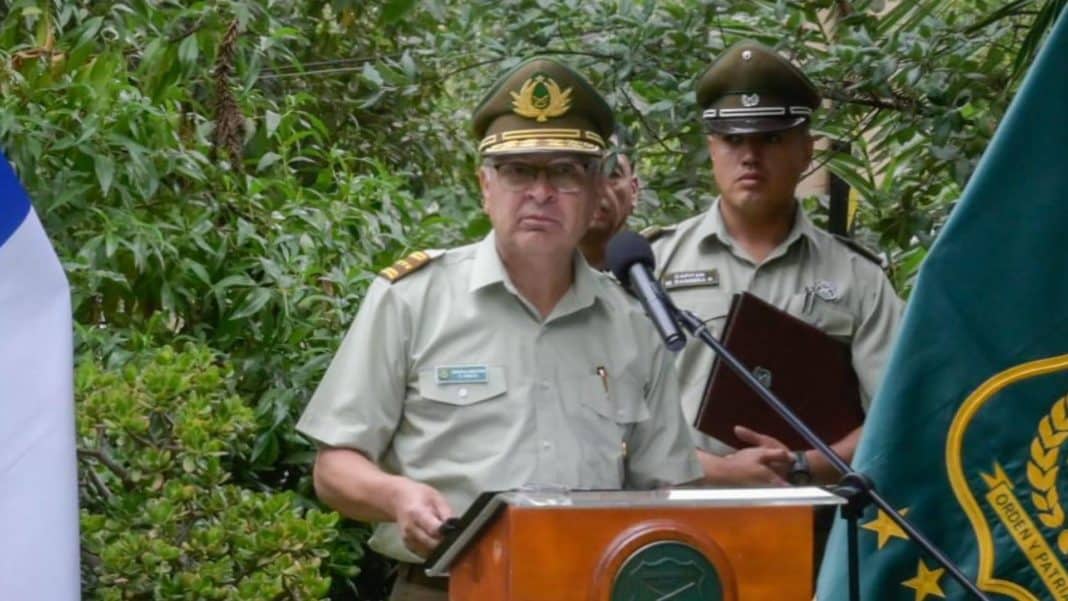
<point x="857" y="488"/>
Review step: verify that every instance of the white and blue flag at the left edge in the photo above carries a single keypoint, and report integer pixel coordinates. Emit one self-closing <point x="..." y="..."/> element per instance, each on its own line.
<point x="39" y="478"/>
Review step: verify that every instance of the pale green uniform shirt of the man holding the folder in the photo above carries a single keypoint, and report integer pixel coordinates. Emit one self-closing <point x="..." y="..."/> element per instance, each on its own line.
<point x="811" y="276"/>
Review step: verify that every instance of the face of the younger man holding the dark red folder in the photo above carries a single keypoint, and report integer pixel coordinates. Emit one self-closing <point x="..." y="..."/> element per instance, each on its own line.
<point x="758" y="173"/>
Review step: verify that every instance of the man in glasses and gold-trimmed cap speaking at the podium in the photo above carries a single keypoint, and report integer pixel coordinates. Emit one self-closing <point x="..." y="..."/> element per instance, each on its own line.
<point x="505" y="363"/>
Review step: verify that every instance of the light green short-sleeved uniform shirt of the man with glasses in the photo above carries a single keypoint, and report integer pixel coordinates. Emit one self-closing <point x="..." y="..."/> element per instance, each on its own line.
<point x="450" y="378"/>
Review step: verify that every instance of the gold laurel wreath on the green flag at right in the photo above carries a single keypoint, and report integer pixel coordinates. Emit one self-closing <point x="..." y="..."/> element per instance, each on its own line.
<point x="1044" y="467"/>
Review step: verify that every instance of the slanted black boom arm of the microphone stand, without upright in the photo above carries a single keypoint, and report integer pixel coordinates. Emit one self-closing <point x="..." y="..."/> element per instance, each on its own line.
<point x="851" y="479"/>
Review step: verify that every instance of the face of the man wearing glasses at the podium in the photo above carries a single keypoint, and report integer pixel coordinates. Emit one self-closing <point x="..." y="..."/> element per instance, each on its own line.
<point x="539" y="204"/>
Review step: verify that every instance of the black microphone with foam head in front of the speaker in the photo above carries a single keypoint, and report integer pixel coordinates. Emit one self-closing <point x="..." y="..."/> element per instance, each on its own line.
<point x="631" y="260"/>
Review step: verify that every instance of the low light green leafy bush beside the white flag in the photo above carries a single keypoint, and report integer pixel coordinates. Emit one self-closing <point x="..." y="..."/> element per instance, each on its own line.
<point x="159" y="440"/>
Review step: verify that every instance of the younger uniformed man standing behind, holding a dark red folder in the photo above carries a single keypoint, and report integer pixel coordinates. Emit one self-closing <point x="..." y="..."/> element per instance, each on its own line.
<point x="757" y="239"/>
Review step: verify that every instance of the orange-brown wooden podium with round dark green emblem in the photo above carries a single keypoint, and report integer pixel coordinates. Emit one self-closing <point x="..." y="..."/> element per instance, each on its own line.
<point x="682" y="545"/>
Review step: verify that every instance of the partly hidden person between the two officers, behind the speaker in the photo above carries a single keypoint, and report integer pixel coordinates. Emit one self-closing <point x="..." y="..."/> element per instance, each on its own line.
<point x="617" y="203"/>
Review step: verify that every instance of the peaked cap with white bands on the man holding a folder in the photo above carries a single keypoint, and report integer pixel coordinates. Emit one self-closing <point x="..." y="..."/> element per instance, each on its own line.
<point x="752" y="89"/>
